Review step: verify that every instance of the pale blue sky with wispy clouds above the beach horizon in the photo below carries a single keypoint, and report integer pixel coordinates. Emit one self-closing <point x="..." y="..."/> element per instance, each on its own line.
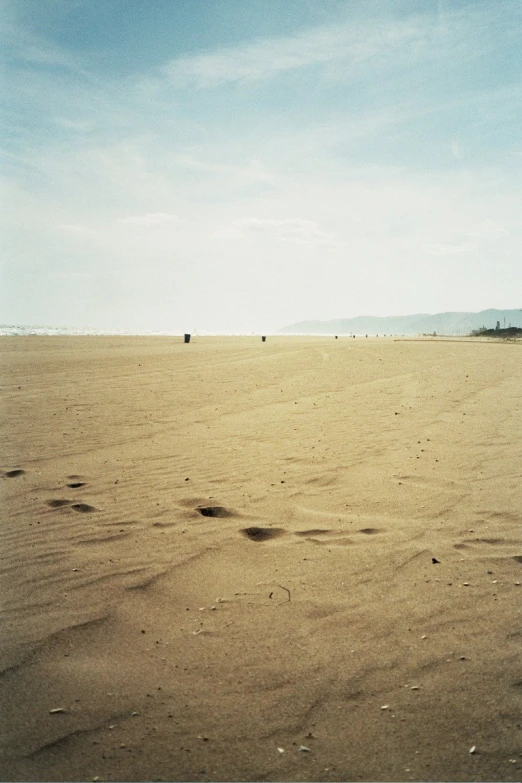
<point x="241" y="165"/>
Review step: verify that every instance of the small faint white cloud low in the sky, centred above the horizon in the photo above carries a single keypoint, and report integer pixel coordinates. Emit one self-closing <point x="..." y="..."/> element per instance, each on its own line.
<point x="294" y="230"/>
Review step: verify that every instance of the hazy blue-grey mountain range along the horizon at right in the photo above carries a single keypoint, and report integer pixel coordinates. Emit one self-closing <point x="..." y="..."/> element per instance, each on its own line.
<point x="422" y="323"/>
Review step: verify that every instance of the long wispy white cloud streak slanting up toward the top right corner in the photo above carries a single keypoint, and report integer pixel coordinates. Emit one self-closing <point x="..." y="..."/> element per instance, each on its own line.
<point x="369" y="38"/>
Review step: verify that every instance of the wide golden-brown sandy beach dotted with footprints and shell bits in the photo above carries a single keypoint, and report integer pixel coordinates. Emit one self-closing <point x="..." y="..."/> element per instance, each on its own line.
<point x="229" y="560"/>
